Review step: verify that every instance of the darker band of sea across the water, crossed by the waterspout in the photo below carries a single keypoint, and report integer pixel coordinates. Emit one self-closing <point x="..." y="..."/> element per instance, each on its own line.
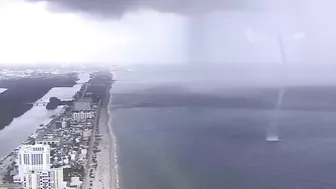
<point x="301" y="98"/>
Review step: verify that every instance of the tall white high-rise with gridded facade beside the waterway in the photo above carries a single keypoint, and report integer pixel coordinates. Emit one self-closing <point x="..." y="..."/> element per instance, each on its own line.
<point x="33" y="158"/>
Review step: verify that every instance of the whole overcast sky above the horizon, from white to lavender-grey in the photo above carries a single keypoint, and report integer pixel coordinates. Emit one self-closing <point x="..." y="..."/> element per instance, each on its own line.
<point x="166" y="31"/>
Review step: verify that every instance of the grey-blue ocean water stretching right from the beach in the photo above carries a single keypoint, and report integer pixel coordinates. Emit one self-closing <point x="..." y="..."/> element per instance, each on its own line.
<point x="184" y="136"/>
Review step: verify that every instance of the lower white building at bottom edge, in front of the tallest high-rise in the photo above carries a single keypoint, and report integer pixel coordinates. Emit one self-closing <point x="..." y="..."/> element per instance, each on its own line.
<point x="45" y="179"/>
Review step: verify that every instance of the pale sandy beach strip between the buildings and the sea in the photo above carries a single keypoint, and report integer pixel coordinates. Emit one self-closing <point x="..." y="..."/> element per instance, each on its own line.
<point x="106" y="172"/>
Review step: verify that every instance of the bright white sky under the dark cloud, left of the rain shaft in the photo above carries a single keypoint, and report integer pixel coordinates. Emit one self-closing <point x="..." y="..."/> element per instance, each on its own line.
<point x="31" y="33"/>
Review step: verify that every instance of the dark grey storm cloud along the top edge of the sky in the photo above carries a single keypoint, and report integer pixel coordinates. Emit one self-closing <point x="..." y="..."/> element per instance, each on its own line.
<point x="118" y="7"/>
